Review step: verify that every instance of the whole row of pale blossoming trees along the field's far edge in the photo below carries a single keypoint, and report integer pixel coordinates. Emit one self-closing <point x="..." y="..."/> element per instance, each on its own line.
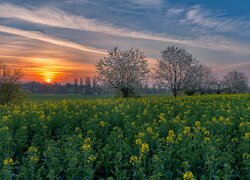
<point x="177" y="70"/>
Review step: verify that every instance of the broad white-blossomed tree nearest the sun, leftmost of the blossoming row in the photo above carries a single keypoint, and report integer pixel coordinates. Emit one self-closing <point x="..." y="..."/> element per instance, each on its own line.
<point x="124" y="71"/>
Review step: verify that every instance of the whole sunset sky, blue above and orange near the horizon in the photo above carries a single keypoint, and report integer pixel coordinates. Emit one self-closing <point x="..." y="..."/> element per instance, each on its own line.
<point x="59" y="40"/>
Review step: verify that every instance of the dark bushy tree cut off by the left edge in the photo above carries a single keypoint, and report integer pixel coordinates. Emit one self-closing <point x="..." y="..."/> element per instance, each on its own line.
<point x="10" y="83"/>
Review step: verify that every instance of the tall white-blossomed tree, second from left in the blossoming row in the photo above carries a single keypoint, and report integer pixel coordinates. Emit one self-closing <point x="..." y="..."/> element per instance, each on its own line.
<point x="174" y="69"/>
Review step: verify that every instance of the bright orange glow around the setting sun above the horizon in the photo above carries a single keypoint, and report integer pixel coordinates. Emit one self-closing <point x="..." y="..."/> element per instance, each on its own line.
<point x="51" y="70"/>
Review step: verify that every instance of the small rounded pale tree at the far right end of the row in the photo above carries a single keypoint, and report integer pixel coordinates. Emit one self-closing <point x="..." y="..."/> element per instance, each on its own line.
<point x="236" y="82"/>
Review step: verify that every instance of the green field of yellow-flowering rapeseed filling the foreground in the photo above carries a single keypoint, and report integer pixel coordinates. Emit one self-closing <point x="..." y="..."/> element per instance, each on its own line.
<point x="201" y="137"/>
